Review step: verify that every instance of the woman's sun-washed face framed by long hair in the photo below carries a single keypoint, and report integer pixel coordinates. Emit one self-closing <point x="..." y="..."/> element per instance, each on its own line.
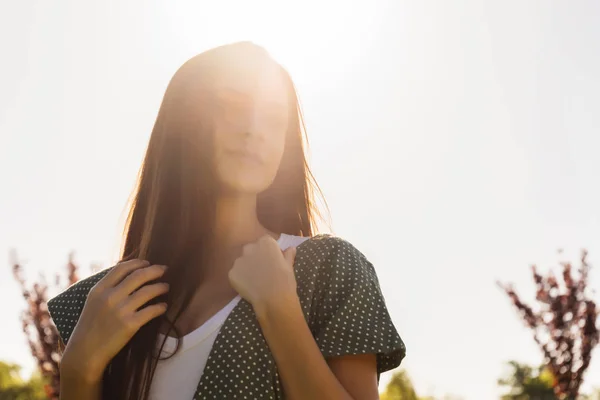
<point x="250" y="125"/>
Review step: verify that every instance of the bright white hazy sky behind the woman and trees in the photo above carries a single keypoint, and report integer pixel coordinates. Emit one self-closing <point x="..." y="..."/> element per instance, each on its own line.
<point x="456" y="143"/>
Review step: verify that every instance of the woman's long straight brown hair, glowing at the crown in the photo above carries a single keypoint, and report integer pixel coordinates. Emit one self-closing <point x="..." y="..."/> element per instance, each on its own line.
<point x="172" y="213"/>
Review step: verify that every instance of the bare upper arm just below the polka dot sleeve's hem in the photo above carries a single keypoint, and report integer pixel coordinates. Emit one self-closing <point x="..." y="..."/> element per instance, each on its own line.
<point x="357" y="374"/>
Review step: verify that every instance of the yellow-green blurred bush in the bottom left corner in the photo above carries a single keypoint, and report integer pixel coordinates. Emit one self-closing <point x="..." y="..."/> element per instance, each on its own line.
<point x="12" y="387"/>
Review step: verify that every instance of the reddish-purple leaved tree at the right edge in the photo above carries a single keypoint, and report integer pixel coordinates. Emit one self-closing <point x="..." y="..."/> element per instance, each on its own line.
<point x="564" y="326"/>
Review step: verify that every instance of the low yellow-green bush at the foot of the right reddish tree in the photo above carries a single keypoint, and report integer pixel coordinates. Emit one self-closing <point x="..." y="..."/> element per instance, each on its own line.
<point x="528" y="383"/>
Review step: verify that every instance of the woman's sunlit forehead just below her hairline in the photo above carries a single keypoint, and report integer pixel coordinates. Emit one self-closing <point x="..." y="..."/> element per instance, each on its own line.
<point x="259" y="84"/>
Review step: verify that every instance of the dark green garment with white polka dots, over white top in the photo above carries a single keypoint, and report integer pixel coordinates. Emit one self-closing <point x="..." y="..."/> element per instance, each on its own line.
<point x="342" y="304"/>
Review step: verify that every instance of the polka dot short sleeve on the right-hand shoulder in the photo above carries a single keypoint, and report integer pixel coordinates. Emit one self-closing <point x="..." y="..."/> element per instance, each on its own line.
<point x="352" y="317"/>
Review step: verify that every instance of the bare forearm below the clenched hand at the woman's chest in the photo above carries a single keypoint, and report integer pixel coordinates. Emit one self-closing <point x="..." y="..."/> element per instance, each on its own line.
<point x="303" y="369"/>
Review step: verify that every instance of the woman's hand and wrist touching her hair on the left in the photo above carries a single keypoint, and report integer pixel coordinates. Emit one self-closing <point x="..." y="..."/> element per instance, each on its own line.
<point x="111" y="316"/>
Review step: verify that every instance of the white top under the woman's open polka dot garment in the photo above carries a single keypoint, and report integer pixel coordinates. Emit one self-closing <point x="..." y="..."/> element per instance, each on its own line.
<point x="177" y="377"/>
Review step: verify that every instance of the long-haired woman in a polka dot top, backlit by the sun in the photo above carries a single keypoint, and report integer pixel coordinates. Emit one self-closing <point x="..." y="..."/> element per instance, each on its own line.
<point x="223" y="292"/>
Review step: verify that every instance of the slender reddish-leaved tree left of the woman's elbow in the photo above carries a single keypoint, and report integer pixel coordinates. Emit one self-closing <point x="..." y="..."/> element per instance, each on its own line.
<point x="40" y="332"/>
